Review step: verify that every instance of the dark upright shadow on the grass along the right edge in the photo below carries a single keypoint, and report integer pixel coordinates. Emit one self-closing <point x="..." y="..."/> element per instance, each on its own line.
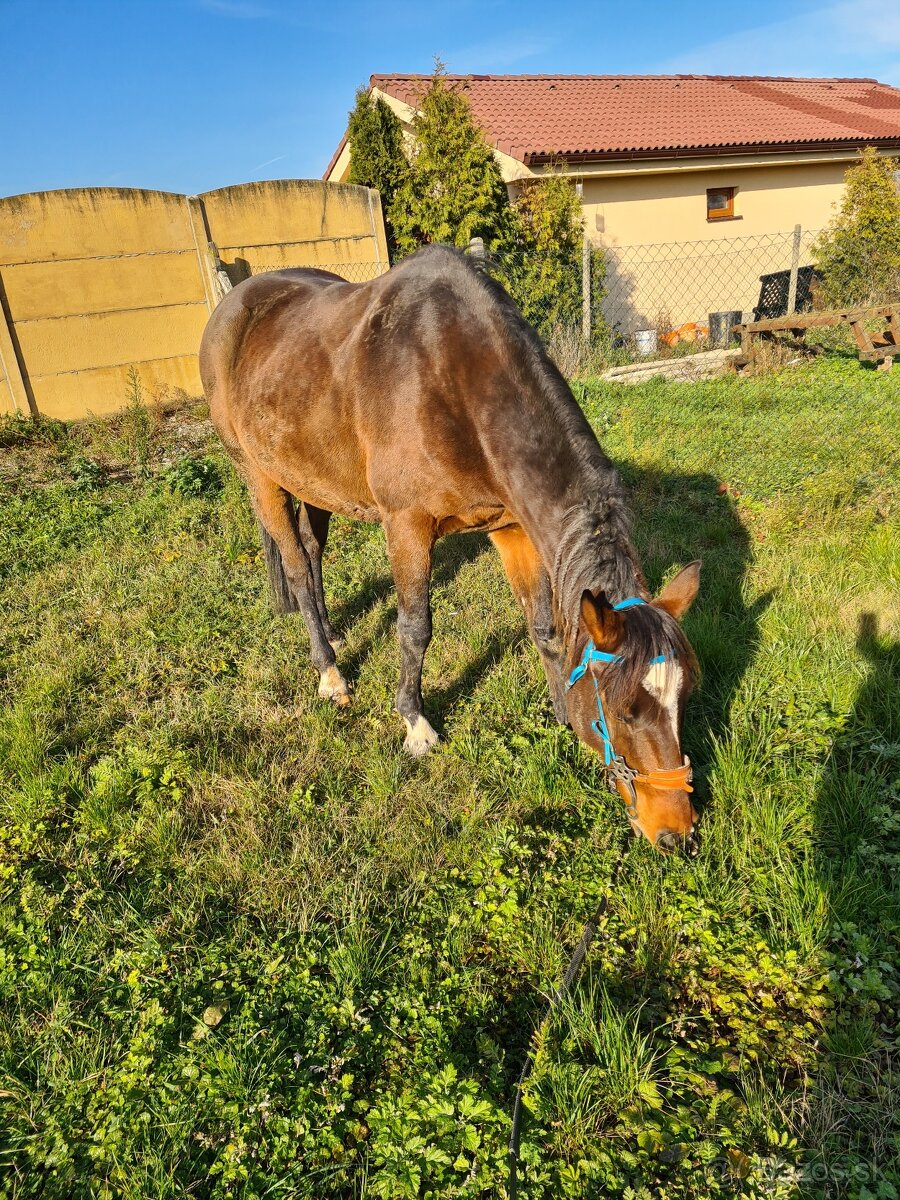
<point x="853" y="1121"/>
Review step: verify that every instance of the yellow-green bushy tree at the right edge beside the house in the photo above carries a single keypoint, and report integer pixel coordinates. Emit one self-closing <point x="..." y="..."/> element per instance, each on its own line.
<point x="859" y="255"/>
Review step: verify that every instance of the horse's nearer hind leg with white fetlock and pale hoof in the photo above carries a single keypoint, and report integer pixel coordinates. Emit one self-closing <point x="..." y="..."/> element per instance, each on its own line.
<point x="275" y="512"/>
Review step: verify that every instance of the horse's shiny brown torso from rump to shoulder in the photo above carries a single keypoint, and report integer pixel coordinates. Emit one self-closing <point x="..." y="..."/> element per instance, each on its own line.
<point x="380" y="397"/>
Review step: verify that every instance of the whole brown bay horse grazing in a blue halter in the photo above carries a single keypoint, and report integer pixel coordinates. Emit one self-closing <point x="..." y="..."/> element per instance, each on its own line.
<point x="425" y="401"/>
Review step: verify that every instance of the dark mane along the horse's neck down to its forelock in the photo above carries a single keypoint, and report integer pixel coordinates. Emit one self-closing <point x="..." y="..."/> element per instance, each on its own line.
<point x="595" y="551"/>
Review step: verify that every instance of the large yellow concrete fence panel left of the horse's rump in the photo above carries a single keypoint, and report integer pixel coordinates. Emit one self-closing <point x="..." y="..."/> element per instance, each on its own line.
<point x="97" y="281"/>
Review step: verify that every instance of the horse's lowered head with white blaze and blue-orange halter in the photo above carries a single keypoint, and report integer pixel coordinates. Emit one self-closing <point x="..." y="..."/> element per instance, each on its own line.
<point x="631" y="679"/>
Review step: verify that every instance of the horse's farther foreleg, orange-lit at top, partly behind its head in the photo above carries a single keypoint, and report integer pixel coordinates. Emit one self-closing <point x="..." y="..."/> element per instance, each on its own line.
<point x="531" y="586"/>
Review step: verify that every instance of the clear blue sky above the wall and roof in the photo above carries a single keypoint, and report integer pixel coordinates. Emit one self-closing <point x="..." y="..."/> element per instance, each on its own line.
<point x="189" y="95"/>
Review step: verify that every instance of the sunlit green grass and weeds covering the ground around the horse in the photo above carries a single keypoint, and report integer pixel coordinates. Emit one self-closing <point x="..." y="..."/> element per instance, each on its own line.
<point x="248" y="949"/>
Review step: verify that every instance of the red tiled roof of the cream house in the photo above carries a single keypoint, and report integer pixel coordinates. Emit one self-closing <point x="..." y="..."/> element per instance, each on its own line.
<point x="538" y="117"/>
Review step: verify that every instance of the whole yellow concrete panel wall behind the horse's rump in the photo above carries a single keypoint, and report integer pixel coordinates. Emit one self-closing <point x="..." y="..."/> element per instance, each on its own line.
<point x="97" y="281"/>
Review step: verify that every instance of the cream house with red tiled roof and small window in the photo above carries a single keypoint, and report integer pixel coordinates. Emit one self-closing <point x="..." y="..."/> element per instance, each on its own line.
<point x="663" y="163"/>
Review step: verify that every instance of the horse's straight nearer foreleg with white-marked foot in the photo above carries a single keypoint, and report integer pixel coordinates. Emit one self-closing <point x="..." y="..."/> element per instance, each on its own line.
<point x="411" y="539"/>
